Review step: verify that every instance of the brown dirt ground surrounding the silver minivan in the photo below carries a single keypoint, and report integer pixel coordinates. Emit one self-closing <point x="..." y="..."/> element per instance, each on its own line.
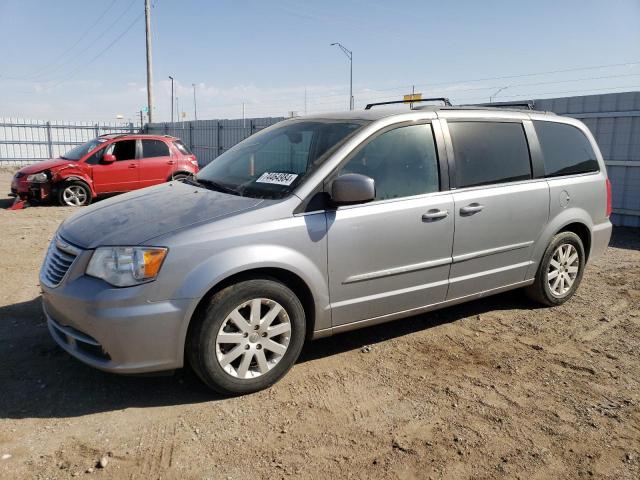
<point x="496" y="388"/>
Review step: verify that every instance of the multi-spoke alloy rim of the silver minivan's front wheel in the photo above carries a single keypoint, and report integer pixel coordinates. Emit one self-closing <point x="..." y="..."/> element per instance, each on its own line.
<point x="253" y="338"/>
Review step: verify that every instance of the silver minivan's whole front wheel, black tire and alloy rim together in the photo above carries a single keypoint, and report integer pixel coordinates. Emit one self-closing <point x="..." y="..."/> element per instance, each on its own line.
<point x="238" y="366"/>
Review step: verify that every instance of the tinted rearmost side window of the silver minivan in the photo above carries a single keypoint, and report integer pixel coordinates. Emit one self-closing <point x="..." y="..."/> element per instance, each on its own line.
<point x="565" y="149"/>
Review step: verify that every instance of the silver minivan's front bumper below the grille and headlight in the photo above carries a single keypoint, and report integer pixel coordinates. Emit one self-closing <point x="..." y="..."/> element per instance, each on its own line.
<point x="115" y="329"/>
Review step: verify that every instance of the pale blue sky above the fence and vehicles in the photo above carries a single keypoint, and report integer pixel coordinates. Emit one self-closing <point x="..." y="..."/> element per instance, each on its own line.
<point x="84" y="60"/>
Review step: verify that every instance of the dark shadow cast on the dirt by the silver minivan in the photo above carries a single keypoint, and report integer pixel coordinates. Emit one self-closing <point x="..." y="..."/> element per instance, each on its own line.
<point x="40" y="380"/>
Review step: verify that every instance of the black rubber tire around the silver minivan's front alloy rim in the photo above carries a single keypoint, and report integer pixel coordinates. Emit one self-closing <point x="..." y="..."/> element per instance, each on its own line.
<point x="207" y="365"/>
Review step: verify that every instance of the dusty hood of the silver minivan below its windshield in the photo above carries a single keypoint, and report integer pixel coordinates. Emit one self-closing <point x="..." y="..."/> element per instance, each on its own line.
<point x="138" y="216"/>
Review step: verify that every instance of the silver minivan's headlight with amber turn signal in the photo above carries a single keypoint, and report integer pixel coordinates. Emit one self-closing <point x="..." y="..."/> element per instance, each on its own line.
<point x="126" y="266"/>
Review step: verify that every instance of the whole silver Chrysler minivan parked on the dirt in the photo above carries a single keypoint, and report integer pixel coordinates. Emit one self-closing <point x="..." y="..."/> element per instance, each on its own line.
<point x="323" y="224"/>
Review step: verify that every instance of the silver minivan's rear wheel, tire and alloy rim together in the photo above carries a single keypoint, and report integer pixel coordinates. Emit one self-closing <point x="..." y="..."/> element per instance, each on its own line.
<point x="566" y="271"/>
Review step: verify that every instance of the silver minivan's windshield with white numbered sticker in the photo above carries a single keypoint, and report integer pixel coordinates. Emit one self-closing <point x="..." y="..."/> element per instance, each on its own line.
<point x="272" y="163"/>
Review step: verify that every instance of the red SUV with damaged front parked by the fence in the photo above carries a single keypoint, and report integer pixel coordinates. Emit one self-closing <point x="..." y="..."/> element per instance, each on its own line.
<point x="104" y="165"/>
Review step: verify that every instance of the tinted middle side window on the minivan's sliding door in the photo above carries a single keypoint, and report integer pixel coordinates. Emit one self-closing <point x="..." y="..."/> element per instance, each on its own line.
<point x="489" y="152"/>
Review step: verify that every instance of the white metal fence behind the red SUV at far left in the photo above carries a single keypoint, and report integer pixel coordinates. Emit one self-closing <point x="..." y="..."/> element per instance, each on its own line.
<point x="24" y="141"/>
